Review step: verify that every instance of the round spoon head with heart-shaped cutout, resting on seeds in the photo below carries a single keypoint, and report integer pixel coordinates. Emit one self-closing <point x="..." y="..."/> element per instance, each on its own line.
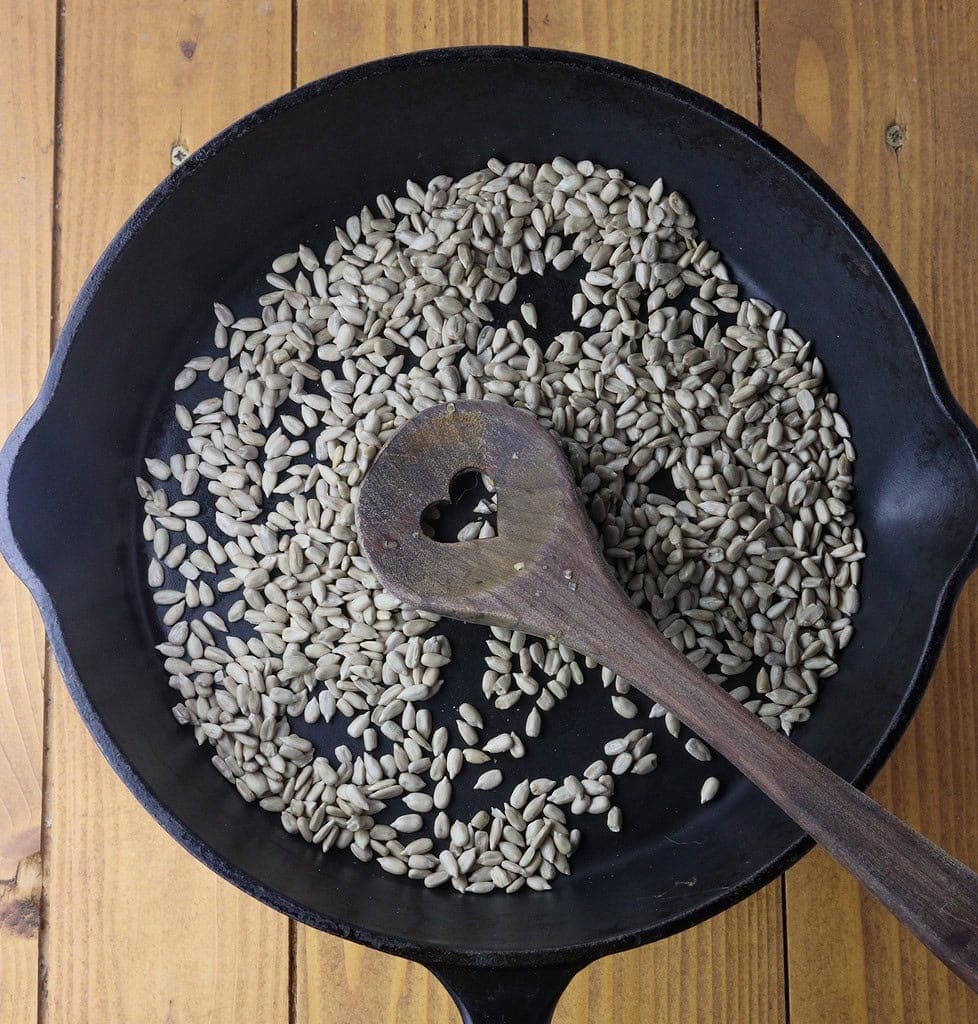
<point x="499" y="581"/>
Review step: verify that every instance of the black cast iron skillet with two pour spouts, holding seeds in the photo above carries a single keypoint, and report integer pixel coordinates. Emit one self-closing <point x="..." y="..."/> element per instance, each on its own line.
<point x="291" y="170"/>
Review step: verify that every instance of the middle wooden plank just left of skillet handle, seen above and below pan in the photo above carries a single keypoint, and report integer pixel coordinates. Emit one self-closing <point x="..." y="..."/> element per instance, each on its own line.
<point x="338" y="980"/>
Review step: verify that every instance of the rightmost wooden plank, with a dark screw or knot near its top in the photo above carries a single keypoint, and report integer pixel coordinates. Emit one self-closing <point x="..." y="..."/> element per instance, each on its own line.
<point x="839" y="76"/>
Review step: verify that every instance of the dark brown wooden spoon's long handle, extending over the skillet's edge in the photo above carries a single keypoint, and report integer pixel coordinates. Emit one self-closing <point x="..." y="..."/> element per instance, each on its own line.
<point x="933" y="894"/>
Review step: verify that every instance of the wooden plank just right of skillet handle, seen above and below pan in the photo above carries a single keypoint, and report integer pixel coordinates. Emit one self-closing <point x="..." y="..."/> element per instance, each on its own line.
<point x="729" y="969"/>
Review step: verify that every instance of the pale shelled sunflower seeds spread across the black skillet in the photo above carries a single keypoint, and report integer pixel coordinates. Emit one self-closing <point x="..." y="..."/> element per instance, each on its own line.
<point x="753" y="572"/>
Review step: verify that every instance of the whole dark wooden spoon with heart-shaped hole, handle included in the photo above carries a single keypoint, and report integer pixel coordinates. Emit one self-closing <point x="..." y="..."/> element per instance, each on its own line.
<point x="545" y="575"/>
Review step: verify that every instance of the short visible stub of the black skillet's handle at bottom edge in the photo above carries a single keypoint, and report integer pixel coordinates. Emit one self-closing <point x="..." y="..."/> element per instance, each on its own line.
<point x="506" y="996"/>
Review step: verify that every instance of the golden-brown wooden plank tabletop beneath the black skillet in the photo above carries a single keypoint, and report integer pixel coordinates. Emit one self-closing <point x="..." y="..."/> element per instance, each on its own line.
<point x="104" y="920"/>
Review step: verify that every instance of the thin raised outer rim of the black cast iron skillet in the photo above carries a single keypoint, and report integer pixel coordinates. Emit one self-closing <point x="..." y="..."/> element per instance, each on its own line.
<point x="423" y="952"/>
